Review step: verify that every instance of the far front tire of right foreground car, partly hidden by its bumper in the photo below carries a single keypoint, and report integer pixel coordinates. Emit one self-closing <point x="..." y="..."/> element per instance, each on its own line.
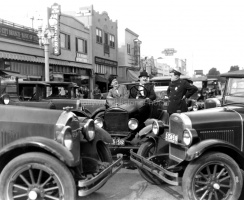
<point x="146" y="150"/>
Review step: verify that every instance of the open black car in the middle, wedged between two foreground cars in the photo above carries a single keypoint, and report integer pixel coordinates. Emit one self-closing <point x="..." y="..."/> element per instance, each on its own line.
<point x="122" y="119"/>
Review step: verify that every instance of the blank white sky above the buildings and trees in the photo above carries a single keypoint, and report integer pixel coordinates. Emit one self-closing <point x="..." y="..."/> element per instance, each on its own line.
<point x="207" y="33"/>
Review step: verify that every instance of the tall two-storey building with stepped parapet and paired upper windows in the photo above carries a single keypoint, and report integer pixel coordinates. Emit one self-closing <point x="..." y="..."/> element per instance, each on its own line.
<point x="104" y="43"/>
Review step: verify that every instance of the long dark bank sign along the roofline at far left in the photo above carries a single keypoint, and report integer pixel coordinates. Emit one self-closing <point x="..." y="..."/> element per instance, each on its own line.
<point x="19" y="34"/>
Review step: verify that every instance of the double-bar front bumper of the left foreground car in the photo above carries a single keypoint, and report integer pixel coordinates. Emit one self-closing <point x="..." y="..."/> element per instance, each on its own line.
<point x="87" y="187"/>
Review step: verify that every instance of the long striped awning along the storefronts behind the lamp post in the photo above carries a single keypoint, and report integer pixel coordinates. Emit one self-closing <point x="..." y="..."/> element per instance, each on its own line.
<point x="29" y="58"/>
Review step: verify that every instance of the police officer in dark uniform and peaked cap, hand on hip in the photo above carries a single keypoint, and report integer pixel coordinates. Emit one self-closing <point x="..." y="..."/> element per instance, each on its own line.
<point x="178" y="92"/>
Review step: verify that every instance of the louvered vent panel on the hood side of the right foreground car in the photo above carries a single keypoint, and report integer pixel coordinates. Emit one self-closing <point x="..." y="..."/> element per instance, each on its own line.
<point x="226" y="135"/>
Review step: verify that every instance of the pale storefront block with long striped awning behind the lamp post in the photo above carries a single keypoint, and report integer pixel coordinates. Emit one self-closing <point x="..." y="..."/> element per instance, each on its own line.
<point x="20" y="51"/>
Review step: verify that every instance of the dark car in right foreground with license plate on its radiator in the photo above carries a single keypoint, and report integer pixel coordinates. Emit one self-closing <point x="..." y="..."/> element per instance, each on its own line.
<point x="202" y="150"/>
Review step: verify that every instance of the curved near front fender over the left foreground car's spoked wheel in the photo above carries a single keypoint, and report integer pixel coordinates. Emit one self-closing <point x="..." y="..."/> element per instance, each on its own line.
<point x="37" y="144"/>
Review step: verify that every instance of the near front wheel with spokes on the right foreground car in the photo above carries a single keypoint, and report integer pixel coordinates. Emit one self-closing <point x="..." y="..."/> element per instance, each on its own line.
<point x="199" y="171"/>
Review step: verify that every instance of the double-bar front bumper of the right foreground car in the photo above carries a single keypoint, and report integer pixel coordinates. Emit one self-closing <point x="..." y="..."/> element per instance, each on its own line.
<point x="169" y="177"/>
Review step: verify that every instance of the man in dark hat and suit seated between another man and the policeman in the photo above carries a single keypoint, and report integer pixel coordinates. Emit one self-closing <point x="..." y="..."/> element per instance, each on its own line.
<point x="145" y="89"/>
